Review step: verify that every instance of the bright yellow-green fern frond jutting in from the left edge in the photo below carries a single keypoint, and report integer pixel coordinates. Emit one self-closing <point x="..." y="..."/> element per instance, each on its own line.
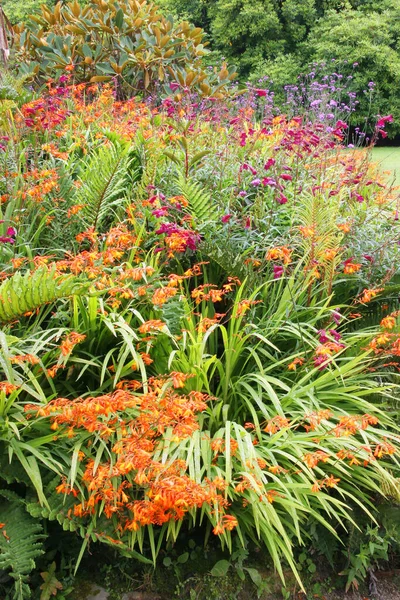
<point x="22" y="293"/>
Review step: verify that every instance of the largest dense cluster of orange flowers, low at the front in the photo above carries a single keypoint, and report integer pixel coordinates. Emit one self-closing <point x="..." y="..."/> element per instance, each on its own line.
<point x="165" y="491"/>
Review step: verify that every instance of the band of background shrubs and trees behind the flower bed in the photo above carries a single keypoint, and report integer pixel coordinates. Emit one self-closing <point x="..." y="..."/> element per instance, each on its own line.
<point x="263" y="38"/>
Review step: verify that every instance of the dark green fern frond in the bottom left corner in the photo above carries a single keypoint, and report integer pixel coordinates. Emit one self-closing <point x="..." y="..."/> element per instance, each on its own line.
<point x="20" y="545"/>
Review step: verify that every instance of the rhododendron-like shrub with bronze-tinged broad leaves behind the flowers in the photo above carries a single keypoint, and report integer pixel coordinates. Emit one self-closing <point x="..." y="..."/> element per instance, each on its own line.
<point x="130" y="42"/>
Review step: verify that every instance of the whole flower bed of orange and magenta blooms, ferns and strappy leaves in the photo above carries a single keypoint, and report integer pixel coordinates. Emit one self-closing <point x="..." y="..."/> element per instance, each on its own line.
<point x="199" y="302"/>
